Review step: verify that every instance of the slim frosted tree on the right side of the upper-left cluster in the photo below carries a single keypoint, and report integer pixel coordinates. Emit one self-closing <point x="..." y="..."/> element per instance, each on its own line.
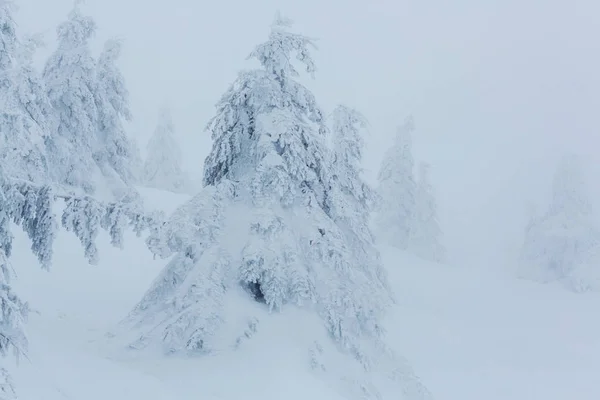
<point x="116" y="151"/>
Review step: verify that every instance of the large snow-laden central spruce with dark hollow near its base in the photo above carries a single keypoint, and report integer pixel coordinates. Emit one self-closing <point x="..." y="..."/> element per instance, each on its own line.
<point x="263" y="229"/>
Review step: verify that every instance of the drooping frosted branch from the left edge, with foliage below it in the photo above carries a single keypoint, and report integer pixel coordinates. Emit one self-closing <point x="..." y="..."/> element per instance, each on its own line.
<point x="29" y="206"/>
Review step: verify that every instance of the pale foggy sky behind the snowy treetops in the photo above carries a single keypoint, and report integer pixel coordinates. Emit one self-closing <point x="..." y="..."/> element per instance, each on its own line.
<point x="498" y="88"/>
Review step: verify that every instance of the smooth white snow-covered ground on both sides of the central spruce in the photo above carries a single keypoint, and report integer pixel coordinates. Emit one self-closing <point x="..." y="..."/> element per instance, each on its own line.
<point x="469" y="335"/>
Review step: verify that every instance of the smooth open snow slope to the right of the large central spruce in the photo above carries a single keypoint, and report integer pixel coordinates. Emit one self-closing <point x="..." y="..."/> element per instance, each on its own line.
<point x="476" y="335"/>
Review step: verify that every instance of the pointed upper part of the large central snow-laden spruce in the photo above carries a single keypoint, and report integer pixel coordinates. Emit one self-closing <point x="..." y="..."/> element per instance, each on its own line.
<point x="262" y="99"/>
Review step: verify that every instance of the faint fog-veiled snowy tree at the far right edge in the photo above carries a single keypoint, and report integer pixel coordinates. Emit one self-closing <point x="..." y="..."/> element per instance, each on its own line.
<point x="563" y="244"/>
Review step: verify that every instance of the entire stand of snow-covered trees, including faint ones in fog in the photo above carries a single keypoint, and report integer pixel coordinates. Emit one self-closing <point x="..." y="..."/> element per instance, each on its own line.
<point x="284" y="214"/>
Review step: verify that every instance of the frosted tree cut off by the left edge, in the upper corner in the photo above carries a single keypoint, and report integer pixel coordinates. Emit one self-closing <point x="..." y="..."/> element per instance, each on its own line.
<point x="25" y="112"/>
